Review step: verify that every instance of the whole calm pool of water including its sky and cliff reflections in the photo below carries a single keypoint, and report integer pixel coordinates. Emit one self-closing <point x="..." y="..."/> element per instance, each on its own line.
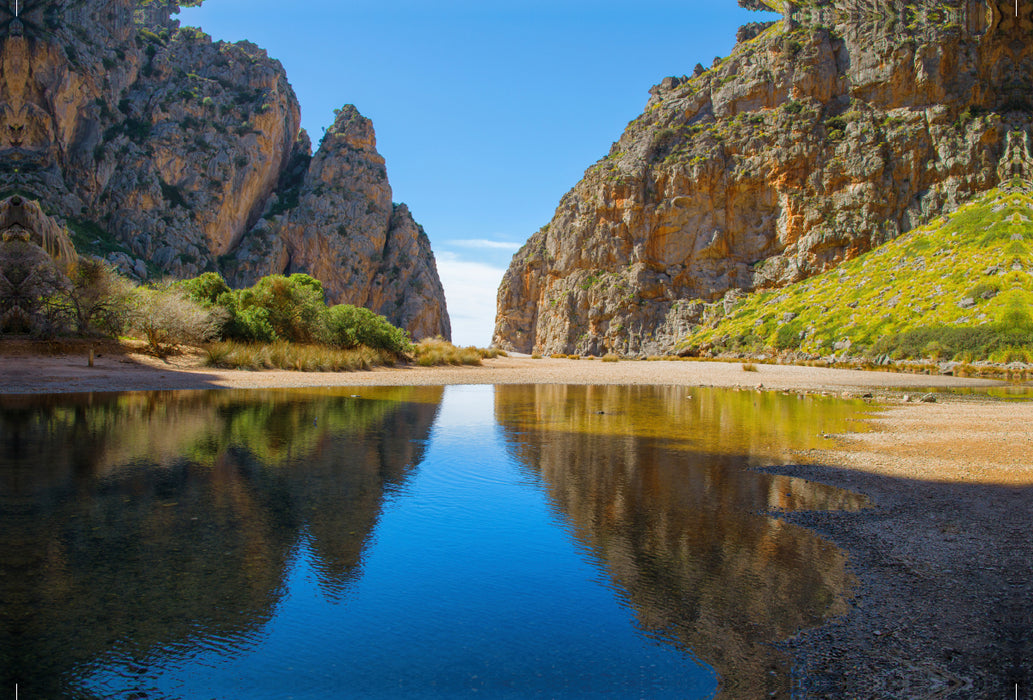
<point x="516" y="542"/>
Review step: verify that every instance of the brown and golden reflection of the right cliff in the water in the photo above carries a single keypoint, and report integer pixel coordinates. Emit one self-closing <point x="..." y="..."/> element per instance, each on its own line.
<point x="676" y="521"/>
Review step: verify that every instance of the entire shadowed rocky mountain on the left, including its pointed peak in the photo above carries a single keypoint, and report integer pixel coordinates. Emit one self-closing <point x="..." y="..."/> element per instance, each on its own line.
<point x="171" y="154"/>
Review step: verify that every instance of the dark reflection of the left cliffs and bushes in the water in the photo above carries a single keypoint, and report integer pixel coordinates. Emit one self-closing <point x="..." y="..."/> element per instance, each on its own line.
<point x="150" y="524"/>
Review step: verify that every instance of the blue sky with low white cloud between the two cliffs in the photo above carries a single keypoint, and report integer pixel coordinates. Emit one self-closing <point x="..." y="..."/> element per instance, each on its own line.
<point x="487" y="112"/>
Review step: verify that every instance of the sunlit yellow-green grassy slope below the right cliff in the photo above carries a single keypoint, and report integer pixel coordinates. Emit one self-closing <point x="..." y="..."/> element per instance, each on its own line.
<point x="959" y="289"/>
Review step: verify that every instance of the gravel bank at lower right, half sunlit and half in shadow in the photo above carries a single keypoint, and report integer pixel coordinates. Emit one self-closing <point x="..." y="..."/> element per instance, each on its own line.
<point x="946" y="604"/>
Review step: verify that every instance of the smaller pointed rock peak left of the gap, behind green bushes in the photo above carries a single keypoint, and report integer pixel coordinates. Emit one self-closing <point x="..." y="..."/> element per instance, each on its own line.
<point x="347" y="232"/>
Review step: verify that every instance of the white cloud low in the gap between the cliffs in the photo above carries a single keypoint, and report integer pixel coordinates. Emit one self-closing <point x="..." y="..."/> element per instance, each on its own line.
<point x="471" y="292"/>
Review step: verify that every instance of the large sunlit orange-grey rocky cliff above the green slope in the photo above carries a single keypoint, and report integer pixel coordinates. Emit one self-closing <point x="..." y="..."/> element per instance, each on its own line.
<point x="822" y="137"/>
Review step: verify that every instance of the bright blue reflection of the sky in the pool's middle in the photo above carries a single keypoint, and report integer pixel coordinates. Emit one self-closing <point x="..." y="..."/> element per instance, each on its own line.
<point x="469" y="584"/>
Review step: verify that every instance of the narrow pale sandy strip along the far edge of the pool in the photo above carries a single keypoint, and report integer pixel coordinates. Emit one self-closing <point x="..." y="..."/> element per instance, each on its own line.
<point x="34" y="374"/>
